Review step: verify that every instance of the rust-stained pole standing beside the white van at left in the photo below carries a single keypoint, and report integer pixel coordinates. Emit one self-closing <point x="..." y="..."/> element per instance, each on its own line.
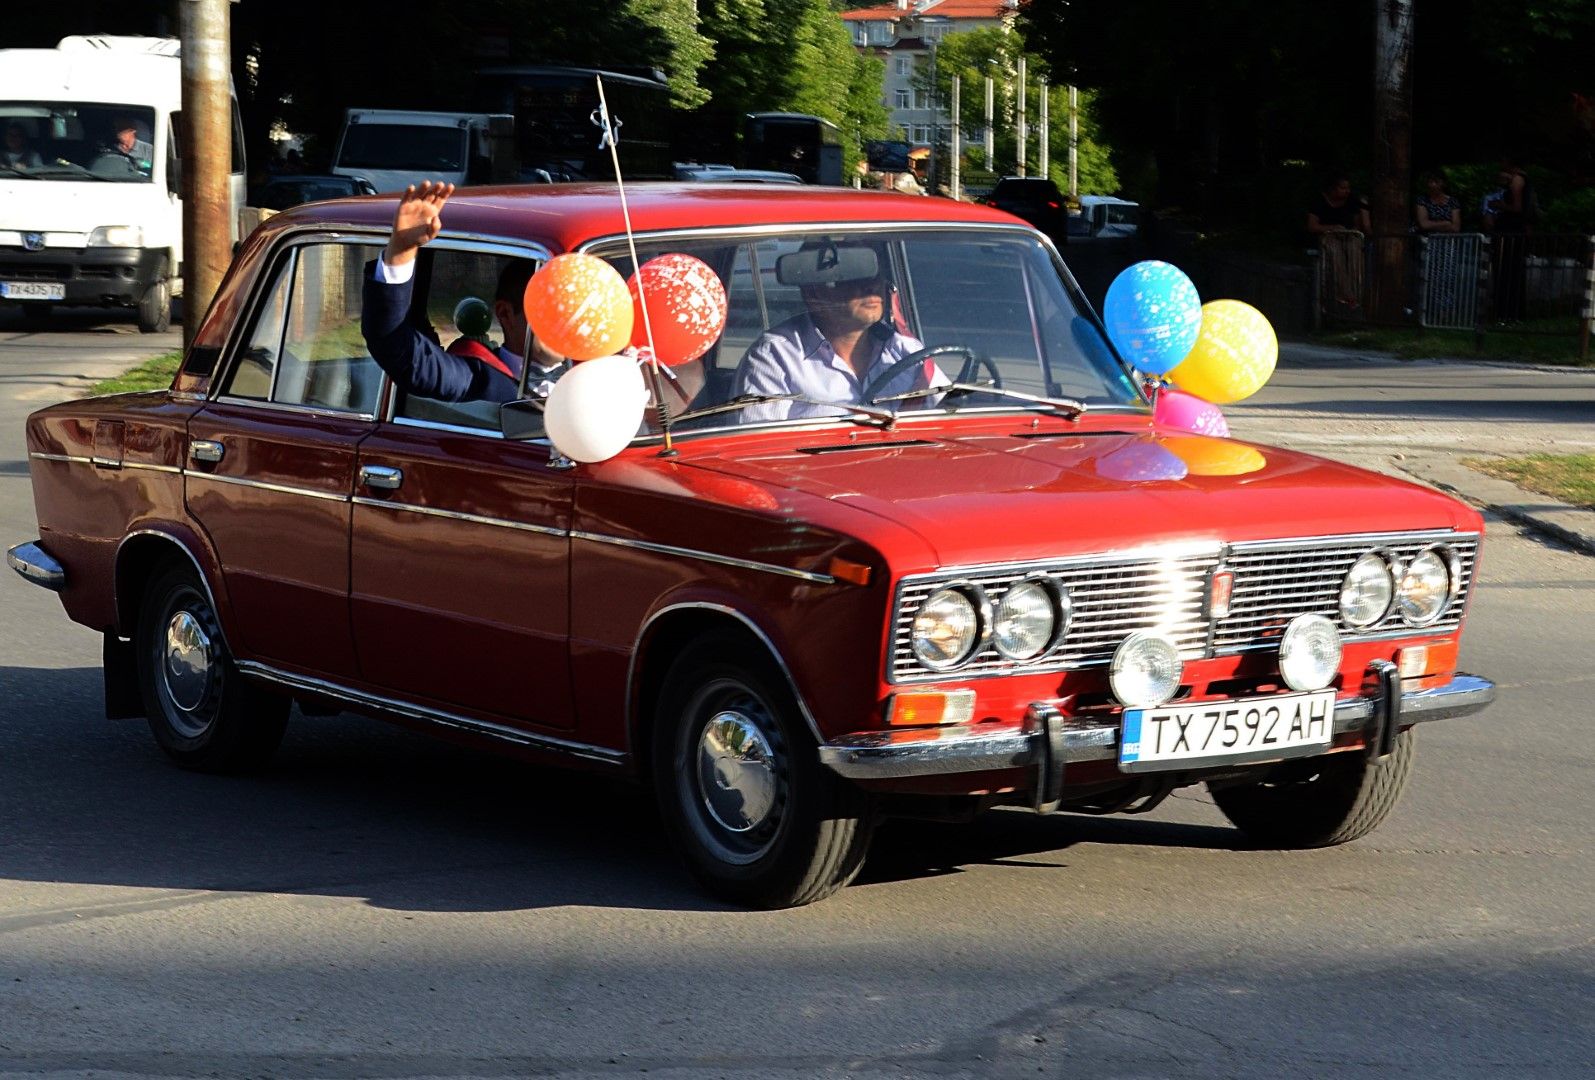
<point x="208" y="156"/>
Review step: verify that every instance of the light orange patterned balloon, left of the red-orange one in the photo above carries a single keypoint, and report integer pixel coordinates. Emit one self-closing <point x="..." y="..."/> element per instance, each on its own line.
<point x="580" y="307"/>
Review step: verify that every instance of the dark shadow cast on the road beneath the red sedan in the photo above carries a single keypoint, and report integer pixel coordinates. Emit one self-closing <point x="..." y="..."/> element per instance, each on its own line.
<point x="358" y="808"/>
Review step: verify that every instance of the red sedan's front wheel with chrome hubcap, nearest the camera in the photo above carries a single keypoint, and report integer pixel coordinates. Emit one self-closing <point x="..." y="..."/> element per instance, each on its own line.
<point x="803" y="834"/>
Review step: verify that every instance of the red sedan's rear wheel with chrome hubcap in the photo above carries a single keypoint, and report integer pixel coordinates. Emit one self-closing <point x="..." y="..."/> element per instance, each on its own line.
<point x="202" y="711"/>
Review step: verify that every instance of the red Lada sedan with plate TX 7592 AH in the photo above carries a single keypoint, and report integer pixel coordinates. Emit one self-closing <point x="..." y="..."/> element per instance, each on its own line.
<point x="982" y="575"/>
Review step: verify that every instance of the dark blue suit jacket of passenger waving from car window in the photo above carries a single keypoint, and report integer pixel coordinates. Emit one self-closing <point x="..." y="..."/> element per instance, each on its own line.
<point x="417" y="363"/>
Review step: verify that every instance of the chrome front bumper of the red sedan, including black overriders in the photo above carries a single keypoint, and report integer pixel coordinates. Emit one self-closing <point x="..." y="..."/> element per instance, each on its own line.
<point x="1049" y="739"/>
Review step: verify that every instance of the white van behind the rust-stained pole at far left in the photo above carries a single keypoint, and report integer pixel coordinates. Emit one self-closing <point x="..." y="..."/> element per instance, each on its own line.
<point x="90" y="176"/>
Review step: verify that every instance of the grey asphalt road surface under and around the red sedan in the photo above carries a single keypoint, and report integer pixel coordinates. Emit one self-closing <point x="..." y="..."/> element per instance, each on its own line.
<point x="382" y="905"/>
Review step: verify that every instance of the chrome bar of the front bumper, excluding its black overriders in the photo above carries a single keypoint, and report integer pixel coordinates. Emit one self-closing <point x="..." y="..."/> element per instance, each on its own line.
<point x="884" y="755"/>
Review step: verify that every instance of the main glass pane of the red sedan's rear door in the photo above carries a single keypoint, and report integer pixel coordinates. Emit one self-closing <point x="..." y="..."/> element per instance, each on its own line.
<point x="325" y="361"/>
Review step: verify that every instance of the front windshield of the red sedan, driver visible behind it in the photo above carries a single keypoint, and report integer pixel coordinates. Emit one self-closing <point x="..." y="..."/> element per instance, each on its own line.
<point x="908" y="321"/>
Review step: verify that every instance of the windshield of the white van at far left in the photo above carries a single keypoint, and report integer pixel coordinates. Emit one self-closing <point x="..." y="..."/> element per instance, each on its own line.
<point x="77" y="141"/>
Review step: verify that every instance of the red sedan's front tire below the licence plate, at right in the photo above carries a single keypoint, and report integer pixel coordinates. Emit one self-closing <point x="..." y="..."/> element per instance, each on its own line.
<point x="1334" y="802"/>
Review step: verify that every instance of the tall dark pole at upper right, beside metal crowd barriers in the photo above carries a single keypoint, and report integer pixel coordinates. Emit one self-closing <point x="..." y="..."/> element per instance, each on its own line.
<point x="1392" y="149"/>
